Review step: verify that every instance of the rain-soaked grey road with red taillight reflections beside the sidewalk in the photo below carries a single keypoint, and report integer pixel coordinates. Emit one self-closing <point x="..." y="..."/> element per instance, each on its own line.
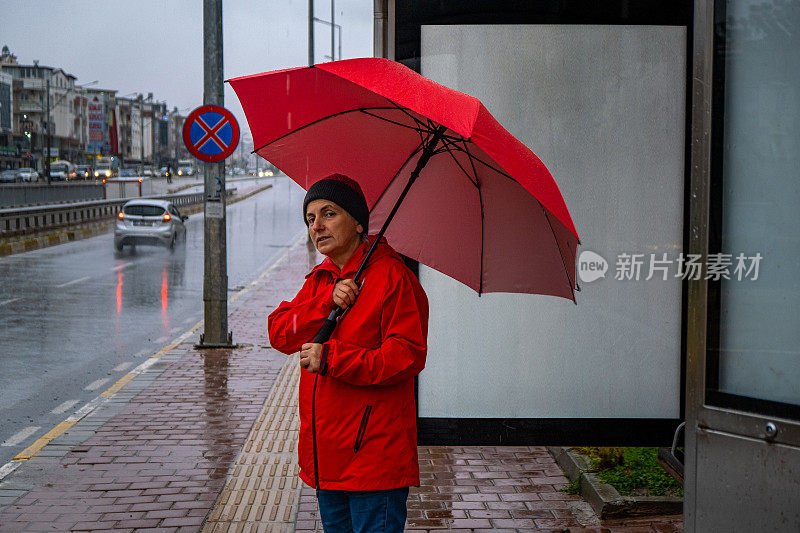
<point x="75" y="318"/>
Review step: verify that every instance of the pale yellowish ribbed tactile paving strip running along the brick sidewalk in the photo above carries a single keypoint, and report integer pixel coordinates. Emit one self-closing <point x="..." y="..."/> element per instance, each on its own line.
<point x="262" y="493"/>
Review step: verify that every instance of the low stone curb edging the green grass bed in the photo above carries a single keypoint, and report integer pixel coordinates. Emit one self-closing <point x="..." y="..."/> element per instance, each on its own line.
<point x="604" y="499"/>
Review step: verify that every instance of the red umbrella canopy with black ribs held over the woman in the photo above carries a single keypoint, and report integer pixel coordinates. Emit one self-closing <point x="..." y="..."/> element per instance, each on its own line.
<point x="485" y="210"/>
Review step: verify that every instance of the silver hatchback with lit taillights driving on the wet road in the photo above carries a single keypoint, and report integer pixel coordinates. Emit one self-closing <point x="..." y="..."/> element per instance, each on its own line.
<point x="150" y="222"/>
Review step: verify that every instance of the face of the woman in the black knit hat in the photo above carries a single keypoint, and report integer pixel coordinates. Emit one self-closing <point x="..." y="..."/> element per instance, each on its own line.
<point x="333" y="231"/>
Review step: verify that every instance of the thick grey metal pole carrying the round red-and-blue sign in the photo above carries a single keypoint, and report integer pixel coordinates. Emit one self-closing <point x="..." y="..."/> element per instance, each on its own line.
<point x="215" y="279"/>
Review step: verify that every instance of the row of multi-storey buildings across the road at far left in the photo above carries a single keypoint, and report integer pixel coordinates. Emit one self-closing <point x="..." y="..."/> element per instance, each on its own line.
<point x="41" y="105"/>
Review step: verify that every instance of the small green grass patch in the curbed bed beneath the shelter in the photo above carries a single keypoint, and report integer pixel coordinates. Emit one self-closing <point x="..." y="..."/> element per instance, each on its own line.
<point x="632" y="471"/>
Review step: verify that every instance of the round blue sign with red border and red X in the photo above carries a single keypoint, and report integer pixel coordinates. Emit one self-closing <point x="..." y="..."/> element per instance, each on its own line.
<point x="211" y="133"/>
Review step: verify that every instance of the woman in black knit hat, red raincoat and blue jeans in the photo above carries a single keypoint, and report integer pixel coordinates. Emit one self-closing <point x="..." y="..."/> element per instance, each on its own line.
<point x="357" y="409"/>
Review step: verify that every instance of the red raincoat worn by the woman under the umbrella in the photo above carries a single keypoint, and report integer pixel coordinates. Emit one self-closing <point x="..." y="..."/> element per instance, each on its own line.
<point x="366" y="425"/>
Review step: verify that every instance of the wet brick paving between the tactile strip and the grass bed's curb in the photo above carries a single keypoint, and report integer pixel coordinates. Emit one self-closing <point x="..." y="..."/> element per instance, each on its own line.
<point x="495" y="488"/>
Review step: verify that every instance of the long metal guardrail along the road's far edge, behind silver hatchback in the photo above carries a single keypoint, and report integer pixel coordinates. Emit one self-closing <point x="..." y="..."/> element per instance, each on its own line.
<point x="21" y="220"/>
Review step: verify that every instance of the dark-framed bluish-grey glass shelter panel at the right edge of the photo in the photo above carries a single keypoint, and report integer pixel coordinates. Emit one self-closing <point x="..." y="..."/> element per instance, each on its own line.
<point x="753" y="268"/>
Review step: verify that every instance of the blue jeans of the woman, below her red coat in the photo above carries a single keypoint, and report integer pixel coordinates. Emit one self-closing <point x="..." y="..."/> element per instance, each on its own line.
<point x="368" y="511"/>
